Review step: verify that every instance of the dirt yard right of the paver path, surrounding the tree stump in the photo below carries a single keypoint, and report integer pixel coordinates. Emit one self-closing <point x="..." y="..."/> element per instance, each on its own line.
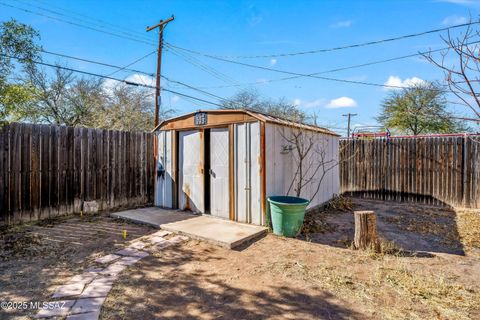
<point x="436" y="276"/>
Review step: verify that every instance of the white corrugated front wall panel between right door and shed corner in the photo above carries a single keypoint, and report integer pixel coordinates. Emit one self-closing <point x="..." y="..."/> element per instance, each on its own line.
<point x="247" y="173"/>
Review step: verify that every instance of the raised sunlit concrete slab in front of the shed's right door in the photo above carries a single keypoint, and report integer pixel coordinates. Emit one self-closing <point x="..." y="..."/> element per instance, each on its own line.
<point x="221" y="232"/>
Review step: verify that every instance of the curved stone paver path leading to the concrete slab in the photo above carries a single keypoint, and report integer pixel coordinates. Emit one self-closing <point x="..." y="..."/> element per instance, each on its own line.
<point x="83" y="296"/>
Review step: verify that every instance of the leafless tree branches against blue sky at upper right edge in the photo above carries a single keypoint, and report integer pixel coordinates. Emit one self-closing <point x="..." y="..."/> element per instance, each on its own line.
<point x="463" y="77"/>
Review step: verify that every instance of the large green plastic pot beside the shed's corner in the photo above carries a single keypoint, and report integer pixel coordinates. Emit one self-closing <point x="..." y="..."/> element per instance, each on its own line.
<point x="287" y="214"/>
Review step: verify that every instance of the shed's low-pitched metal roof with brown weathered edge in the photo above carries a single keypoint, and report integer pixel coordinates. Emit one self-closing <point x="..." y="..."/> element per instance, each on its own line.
<point x="258" y="115"/>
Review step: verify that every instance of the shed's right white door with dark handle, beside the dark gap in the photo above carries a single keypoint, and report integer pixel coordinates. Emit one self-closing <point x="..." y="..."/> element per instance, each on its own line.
<point x="219" y="182"/>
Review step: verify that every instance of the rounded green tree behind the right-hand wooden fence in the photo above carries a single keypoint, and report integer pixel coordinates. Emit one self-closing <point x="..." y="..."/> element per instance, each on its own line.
<point x="418" y="110"/>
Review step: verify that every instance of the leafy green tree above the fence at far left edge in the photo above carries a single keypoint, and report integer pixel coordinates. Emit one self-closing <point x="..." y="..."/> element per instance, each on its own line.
<point x="18" y="47"/>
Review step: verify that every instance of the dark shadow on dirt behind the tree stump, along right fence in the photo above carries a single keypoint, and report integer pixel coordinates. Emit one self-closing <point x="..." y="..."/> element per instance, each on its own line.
<point x="418" y="229"/>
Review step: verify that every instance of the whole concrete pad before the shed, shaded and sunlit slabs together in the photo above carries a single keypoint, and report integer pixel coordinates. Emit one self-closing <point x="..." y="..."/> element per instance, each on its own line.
<point x="224" y="233"/>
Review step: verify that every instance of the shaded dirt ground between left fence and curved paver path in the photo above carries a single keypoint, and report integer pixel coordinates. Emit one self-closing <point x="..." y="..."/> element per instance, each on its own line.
<point x="35" y="259"/>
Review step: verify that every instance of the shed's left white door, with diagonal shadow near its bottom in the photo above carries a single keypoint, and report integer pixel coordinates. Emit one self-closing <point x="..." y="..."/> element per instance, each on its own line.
<point x="191" y="175"/>
